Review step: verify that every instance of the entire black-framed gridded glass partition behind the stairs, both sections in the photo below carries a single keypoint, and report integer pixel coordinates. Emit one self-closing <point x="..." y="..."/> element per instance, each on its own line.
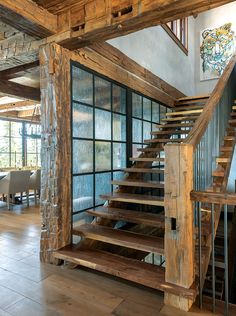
<point x="109" y="123"/>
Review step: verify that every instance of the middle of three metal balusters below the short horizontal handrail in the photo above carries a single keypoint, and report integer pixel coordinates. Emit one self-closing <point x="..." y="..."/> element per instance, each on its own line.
<point x="213" y="257"/>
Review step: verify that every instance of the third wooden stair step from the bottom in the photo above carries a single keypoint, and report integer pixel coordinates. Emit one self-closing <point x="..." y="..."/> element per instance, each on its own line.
<point x="117" y="214"/>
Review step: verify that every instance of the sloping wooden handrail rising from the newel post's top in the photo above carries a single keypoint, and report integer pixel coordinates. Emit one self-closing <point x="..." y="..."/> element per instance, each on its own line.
<point x="204" y="119"/>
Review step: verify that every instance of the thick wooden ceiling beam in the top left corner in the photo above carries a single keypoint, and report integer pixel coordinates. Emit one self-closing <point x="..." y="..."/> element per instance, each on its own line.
<point x="28" y="17"/>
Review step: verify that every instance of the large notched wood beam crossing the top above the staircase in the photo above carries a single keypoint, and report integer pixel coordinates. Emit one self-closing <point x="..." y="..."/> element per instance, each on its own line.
<point x="101" y="20"/>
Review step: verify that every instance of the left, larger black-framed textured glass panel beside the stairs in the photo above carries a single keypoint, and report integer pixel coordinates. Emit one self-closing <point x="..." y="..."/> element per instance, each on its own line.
<point x="99" y="136"/>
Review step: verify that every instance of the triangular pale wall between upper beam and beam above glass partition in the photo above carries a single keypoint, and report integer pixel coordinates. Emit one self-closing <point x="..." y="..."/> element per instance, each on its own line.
<point x="155" y="50"/>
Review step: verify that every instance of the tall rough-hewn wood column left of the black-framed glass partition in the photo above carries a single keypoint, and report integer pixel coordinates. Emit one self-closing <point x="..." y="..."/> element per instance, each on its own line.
<point x="56" y="150"/>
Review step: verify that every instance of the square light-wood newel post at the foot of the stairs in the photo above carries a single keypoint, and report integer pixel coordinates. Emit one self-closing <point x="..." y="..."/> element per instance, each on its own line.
<point x="179" y="221"/>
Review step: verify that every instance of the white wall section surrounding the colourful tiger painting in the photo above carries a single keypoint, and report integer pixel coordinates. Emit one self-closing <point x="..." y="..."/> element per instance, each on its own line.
<point x="212" y="18"/>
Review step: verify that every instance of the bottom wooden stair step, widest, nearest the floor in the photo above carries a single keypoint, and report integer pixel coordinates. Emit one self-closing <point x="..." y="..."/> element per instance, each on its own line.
<point x="129" y="269"/>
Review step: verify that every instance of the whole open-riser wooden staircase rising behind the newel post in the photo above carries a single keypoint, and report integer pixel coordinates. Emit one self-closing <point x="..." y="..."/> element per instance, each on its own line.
<point x="131" y="226"/>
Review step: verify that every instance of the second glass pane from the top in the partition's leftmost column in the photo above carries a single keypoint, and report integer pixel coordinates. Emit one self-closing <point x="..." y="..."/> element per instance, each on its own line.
<point x="82" y="121"/>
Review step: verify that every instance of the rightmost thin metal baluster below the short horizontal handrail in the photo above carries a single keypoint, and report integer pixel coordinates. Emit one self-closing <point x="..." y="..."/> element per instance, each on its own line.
<point x="226" y="259"/>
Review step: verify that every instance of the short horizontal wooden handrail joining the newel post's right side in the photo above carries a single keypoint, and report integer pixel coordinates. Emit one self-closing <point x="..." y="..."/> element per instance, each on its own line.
<point x="213" y="197"/>
